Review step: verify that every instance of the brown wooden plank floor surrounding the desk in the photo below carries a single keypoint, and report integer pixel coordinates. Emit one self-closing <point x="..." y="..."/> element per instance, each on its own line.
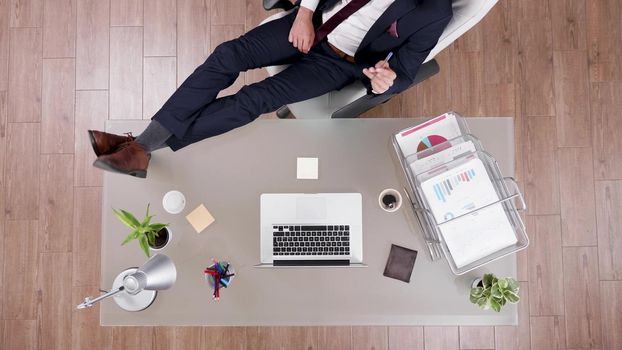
<point x="68" y="65"/>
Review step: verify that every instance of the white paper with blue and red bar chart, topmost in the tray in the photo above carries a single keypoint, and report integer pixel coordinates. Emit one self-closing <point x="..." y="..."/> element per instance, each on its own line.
<point x="460" y="190"/>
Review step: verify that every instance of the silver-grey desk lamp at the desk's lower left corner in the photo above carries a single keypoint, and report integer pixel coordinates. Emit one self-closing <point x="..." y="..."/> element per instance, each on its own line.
<point x="135" y="289"/>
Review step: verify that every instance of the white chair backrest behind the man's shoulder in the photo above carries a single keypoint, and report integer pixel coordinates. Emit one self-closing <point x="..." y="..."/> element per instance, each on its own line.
<point x="467" y="13"/>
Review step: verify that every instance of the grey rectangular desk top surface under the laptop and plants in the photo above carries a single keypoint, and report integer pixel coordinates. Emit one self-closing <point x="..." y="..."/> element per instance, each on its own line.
<point x="228" y="173"/>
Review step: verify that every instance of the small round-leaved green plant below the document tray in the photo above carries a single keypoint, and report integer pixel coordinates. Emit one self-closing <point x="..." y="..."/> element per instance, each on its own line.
<point x="495" y="292"/>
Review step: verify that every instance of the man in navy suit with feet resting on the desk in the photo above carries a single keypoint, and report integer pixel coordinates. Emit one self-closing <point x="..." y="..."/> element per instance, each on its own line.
<point x="328" y="44"/>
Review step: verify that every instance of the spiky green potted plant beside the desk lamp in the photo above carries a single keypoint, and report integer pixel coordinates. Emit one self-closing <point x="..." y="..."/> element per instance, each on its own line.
<point x="149" y="235"/>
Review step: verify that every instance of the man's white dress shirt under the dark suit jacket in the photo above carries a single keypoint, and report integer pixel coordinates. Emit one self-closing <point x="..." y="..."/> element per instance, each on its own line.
<point x="350" y="33"/>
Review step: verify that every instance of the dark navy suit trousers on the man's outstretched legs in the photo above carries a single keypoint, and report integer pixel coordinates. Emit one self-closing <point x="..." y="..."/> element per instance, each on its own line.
<point x="193" y="112"/>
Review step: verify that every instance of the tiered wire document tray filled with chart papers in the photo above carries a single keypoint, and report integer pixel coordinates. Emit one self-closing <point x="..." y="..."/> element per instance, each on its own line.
<point x="433" y="168"/>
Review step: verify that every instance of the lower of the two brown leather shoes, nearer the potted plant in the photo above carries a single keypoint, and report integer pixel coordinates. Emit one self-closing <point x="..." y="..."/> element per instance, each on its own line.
<point x="130" y="158"/>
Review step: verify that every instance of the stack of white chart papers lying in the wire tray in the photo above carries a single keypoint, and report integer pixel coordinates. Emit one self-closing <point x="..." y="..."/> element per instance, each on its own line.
<point x="453" y="181"/>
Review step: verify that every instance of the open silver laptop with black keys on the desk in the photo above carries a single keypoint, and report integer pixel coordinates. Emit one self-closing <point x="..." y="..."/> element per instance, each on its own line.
<point x="311" y="230"/>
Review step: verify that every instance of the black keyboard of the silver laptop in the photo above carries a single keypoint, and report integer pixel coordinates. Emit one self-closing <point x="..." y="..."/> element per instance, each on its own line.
<point x="311" y="240"/>
